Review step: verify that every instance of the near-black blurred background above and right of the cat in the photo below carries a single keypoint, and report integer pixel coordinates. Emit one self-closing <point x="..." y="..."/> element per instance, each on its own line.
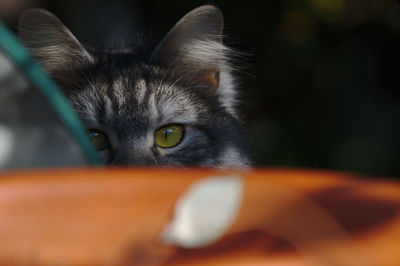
<point x="321" y="84"/>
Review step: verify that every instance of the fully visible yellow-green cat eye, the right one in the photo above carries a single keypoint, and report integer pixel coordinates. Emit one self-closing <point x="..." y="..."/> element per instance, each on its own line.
<point x="168" y="136"/>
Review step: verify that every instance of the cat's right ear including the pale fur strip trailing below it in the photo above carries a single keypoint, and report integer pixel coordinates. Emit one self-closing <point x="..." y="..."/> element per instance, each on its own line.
<point x="193" y="49"/>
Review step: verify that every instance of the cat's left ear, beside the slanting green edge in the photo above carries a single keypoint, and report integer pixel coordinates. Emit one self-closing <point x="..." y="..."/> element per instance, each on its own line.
<point x="50" y="42"/>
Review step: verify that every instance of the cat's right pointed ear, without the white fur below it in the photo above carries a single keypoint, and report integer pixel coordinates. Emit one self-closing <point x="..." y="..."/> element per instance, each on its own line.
<point x="193" y="47"/>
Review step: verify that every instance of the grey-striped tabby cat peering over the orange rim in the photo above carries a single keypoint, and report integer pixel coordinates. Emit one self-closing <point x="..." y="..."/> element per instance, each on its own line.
<point x="172" y="104"/>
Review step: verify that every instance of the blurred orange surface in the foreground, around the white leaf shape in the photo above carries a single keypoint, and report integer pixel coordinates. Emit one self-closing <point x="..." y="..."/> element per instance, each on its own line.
<point x="115" y="217"/>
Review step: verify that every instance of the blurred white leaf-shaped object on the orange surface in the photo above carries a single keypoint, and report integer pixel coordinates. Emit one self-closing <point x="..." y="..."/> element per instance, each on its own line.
<point x="204" y="212"/>
